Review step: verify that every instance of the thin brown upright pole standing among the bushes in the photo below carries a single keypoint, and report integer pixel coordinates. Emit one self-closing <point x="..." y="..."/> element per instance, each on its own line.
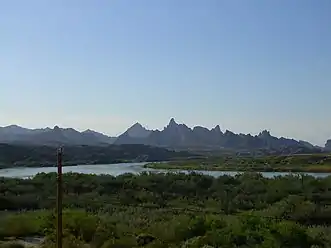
<point x="59" y="199"/>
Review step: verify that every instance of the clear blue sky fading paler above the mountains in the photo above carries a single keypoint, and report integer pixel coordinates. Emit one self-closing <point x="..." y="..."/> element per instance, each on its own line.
<point x="104" y="65"/>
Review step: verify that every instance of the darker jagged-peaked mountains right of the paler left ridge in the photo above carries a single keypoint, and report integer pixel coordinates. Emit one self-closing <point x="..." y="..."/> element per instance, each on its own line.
<point x="180" y="136"/>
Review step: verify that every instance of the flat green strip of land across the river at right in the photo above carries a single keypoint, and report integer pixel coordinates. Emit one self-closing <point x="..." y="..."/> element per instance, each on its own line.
<point x="293" y="163"/>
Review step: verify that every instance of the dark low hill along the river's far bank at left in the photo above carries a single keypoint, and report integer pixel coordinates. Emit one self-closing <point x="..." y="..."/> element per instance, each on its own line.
<point x="32" y="156"/>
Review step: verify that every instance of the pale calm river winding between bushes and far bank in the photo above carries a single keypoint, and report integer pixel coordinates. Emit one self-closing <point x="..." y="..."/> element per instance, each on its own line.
<point x="118" y="169"/>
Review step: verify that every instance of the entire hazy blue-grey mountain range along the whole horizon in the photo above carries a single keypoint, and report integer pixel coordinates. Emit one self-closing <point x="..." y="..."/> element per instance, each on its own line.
<point x="174" y="135"/>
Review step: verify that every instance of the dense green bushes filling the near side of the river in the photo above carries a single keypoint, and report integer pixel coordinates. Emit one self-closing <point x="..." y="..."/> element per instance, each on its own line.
<point x="170" y="210"/>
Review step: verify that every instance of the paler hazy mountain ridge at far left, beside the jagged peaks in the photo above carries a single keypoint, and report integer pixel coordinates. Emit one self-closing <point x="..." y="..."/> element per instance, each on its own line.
<point x="57" y="136"/>
